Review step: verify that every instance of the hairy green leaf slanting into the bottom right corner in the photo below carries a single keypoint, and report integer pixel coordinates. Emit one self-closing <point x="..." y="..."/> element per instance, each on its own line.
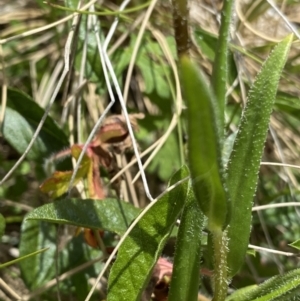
<point x="279" y="288"/>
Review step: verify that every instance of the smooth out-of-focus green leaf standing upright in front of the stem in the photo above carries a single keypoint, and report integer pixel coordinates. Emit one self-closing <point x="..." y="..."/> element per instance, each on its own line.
<point x="204" y="146"/>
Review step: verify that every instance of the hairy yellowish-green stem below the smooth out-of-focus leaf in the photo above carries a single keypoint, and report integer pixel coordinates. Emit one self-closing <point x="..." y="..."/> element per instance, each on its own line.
<point x="220" y="265"/>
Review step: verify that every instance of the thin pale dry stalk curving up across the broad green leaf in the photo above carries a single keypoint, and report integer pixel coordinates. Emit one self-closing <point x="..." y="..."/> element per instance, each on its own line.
<point x="134" y="223"/>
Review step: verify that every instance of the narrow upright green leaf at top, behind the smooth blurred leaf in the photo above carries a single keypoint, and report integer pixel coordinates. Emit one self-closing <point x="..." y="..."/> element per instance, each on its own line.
<point x="220" y="67"/>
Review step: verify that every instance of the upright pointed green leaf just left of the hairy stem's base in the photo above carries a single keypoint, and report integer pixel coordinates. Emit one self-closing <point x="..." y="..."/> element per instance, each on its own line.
<point x="186" y="268"/>
